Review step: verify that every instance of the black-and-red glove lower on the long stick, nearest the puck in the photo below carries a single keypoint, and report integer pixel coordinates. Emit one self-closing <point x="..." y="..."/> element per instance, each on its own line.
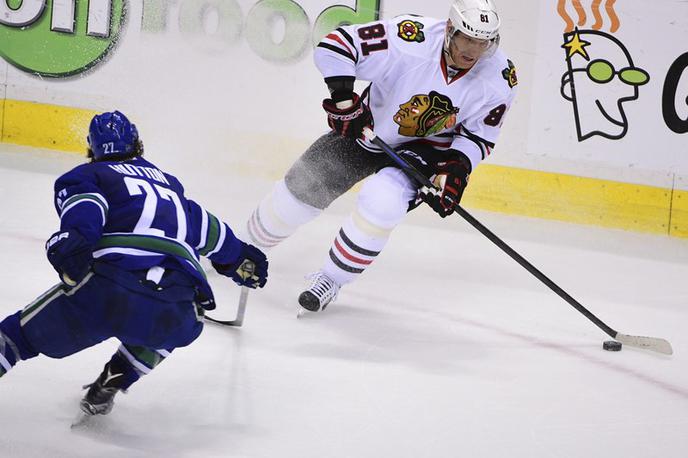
<point x="450" y="179"/>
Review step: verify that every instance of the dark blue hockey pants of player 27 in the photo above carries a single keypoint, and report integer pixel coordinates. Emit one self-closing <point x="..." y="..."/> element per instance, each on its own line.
<point x="150" y="320"/>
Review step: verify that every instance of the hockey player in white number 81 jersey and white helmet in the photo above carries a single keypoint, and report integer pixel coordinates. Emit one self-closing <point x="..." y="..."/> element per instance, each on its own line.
<point x="439" y="92"/>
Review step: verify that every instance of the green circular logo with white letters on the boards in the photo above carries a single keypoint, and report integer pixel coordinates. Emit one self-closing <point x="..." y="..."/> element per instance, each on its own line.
<point x="58" y="38"/>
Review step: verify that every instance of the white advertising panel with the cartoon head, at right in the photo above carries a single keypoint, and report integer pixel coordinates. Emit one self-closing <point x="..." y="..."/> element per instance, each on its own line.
<point x="649" y="144"/>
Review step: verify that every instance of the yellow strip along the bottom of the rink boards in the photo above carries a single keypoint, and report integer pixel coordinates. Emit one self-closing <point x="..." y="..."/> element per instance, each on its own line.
<point x="497" y="188"/>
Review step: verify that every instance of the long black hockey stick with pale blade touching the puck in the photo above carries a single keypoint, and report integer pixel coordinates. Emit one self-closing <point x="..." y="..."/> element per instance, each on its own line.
<point x="649" y="343"/>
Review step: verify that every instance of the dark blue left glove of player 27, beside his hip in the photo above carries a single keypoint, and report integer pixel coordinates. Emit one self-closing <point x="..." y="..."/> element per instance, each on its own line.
<point x="70" y="254"/>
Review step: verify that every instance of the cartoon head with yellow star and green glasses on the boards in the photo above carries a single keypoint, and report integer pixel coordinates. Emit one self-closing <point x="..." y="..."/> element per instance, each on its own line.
<point x="601" y="77"/>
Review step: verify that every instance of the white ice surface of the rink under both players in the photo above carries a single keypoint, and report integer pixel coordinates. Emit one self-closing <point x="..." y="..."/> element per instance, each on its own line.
<point x="444" y="348"/>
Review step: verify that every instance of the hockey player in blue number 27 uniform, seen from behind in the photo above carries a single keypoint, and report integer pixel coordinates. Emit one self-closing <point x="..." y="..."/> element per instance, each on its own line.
<point x="127" y="254"/>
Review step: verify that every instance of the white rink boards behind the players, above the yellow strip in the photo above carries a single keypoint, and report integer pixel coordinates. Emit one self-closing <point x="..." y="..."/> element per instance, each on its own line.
<point x="241" y="87"/>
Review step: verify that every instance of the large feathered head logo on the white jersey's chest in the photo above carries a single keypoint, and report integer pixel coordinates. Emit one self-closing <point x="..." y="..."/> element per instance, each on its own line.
<point x="425" y="115"/>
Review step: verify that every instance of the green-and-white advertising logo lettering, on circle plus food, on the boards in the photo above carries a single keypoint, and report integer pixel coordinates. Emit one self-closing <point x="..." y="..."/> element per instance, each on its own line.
<point x="67" y="37"/>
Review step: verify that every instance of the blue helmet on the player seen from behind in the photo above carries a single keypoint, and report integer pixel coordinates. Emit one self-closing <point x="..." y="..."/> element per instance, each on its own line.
<point x="111" y="134"/>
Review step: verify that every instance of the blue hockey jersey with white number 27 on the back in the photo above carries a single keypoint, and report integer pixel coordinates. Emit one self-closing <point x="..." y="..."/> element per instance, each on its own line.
<point x="137" y="217"/>
